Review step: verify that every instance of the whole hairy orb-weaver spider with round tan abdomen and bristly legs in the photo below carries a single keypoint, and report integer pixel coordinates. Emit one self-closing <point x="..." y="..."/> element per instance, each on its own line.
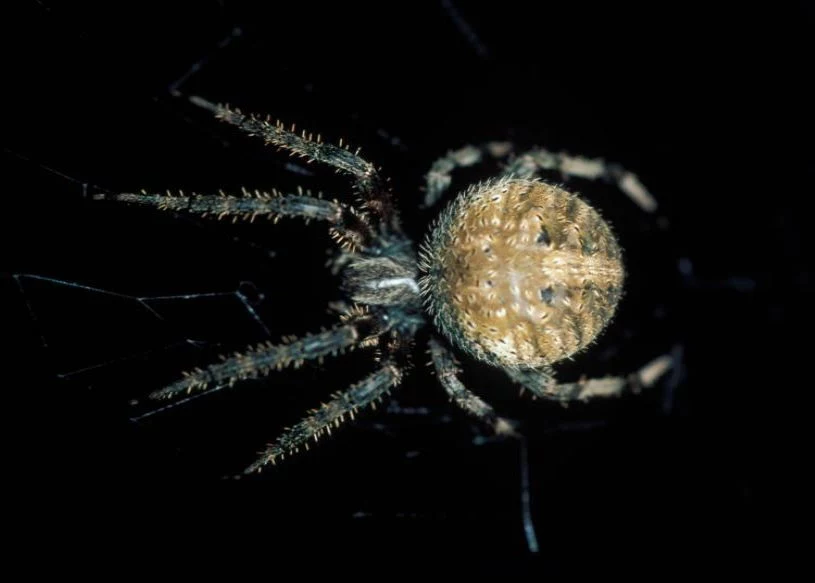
<point x="515" y="272"/>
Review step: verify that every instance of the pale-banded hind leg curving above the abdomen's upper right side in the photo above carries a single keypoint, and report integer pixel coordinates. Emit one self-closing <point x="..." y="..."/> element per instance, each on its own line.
<point x="528" y="165"/>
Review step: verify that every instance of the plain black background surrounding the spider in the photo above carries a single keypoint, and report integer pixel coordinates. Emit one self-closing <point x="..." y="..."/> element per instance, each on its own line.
<point x="706" y="103"/>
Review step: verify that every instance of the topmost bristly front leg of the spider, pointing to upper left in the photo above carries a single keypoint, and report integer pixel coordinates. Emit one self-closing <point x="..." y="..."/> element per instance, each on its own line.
<point x="370" y="186"/>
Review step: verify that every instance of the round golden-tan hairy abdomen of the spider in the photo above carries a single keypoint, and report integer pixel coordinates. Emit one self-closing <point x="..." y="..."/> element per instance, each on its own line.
<point x="521" y="273"/>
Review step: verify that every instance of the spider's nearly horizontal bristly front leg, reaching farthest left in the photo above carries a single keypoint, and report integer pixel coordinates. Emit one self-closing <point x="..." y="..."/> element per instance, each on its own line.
<point x="350" y="228"/>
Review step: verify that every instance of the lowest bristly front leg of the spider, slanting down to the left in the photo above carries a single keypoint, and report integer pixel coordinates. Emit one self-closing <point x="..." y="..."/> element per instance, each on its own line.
<point x="320" y="420"/>
